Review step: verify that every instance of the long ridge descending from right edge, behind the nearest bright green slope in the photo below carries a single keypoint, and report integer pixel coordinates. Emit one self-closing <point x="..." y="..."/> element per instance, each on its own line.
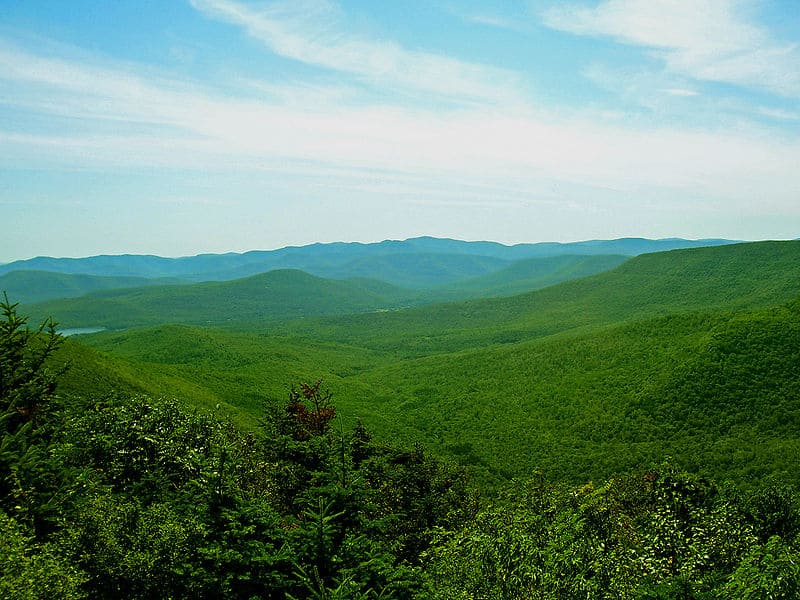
<point x="725" y="277"/>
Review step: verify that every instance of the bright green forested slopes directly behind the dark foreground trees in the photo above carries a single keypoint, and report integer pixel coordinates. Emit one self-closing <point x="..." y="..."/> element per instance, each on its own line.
<point x="719" y="392"/>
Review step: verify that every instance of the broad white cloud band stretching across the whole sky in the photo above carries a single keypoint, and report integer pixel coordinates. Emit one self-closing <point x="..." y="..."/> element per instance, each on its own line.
<point x="522" y="150"/>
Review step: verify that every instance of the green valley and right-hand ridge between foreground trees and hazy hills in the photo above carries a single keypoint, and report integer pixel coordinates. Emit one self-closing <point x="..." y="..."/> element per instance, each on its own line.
<point x="690" y="353"/>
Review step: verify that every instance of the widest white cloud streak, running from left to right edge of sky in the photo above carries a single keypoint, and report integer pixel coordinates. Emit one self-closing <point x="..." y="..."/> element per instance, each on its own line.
<point x="495" y="154"/>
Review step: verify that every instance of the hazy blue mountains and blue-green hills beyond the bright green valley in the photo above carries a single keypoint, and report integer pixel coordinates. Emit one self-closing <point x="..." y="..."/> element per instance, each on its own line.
<point x="426" y="271"/>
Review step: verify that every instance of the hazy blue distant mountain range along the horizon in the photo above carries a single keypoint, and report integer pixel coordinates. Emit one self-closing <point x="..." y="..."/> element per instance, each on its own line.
<point x="446" y="260"/>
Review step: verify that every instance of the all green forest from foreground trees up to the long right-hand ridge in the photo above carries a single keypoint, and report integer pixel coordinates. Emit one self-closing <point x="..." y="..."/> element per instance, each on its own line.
<point x="602" y="438"/>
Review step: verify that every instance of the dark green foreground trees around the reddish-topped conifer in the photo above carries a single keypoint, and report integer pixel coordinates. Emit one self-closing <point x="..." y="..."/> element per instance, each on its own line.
<point x="155" y="501"/>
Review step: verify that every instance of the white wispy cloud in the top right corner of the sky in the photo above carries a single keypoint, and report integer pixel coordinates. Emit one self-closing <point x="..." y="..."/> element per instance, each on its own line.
<point x="714" y="40"/>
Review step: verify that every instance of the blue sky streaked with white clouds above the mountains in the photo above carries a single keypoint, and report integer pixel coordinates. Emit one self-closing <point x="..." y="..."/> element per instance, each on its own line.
<point x="176" y="127"/>
